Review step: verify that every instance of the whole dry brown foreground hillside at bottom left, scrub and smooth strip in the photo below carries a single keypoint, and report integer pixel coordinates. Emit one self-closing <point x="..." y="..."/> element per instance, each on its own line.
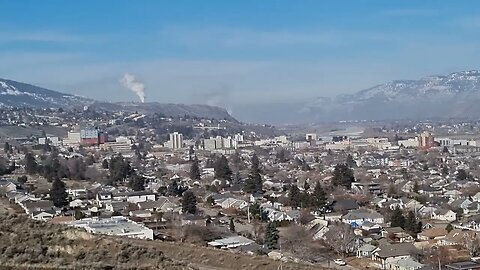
<point x="28" y="244"/>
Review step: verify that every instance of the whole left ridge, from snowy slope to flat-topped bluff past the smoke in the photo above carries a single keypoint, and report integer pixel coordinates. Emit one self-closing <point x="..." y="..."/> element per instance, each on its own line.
<point x="17" y="94"/>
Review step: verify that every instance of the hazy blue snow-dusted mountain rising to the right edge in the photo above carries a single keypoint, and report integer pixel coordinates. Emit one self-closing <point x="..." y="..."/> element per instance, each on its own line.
<point x="456" y="95"/>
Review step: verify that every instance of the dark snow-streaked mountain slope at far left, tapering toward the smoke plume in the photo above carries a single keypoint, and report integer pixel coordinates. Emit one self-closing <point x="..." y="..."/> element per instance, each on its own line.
<point x="17" y="94"/>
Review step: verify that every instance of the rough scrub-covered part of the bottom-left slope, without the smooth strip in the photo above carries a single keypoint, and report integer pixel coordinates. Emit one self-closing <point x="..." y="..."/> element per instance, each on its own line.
<point x="24" y="242"/>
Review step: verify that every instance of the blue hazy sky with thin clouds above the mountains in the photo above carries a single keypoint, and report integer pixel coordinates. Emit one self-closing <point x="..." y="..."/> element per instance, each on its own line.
<point x="233" y="53"/>
